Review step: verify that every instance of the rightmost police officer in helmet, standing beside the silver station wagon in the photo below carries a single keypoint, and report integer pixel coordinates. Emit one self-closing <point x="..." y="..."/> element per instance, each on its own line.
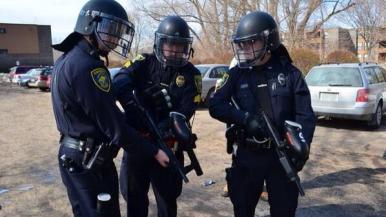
<point x="264" y="79"/>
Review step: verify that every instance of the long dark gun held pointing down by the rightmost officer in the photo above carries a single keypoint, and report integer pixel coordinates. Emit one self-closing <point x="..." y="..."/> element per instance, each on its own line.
<point x="279" y="148"/>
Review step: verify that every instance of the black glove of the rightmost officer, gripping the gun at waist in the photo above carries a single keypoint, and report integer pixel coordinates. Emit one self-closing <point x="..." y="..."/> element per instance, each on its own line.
<point x="255" y="126"/>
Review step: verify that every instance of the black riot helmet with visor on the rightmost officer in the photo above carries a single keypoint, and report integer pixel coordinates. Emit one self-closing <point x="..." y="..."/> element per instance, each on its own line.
<point x="256" y="34"/>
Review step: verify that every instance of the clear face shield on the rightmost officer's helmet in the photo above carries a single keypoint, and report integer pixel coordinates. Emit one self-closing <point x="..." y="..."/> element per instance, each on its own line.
<point x="249" y="50"/>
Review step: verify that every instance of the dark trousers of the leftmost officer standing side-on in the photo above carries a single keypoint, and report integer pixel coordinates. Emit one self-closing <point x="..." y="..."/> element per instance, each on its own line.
<point x="83" y="186"/>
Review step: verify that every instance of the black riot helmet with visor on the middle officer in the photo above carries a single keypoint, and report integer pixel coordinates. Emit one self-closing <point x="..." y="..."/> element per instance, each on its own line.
<point x="172" y="42"/>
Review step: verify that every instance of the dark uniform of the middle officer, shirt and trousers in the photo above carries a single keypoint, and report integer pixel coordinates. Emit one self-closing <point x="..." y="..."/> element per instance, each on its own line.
<point x="137" y="172"/>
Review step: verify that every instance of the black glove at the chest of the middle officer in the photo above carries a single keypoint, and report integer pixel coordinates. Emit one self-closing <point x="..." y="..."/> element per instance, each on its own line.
<point x="159" y="96"/>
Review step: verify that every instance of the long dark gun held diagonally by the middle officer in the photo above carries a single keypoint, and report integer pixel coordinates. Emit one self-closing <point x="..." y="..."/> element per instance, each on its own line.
<point x="157" y="135"/>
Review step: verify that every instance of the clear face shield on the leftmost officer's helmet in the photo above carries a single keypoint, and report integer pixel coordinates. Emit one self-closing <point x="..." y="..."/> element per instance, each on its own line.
<point x="114" y="34"/>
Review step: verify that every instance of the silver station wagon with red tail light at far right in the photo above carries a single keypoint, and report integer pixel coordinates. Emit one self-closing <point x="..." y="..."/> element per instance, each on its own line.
<point x="352" y="91"/>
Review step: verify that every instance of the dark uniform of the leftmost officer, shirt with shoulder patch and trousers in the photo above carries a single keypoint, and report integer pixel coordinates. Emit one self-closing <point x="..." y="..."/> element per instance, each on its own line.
<point x="85" y="109"/>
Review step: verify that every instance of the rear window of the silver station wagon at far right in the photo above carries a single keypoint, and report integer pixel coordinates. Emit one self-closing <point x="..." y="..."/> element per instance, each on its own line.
<point x="334" y="76"/>
